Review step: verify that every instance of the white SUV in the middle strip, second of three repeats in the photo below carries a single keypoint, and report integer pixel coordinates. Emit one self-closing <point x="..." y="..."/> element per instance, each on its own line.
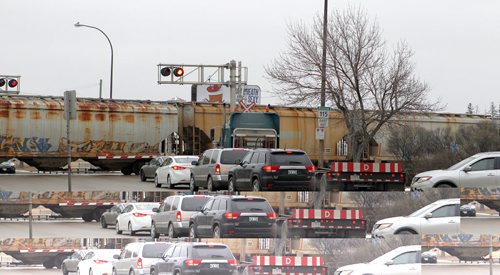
<point x="442" y="216"/>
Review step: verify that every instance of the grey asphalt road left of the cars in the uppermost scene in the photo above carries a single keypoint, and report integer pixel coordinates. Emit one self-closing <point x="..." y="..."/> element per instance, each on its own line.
<point x="39" y="182"/>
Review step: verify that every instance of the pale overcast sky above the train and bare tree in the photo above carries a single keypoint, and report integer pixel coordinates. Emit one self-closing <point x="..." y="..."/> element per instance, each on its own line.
<point x="456" y="42"/>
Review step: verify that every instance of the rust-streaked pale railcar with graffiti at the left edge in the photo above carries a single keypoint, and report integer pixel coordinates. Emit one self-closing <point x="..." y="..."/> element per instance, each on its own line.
<point x="110" y="134"/>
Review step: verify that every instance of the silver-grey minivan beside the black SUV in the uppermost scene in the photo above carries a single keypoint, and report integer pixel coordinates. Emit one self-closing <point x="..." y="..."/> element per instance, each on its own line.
<point x="211" y="170"/>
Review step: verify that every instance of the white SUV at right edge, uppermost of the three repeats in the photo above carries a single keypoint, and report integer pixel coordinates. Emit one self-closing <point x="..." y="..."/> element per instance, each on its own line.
<point x="479" y="170"/>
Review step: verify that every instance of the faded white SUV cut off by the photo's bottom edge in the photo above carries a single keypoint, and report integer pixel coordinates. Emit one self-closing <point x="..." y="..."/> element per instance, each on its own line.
<point x="402" y="260"/>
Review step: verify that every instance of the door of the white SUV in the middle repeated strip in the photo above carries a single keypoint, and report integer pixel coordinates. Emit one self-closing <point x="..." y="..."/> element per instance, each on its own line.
<point x="445" y="219"/>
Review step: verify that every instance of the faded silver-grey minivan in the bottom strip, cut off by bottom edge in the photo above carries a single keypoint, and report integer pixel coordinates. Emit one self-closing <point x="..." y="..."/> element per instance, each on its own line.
<point x="136" y="258"/>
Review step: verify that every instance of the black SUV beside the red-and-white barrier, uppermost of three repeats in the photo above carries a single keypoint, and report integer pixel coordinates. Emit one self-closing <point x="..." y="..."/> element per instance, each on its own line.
<point x="266" y="169"/>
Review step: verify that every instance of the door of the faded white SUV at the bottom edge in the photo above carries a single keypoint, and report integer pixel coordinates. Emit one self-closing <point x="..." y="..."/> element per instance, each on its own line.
<point x="406" y="263"/>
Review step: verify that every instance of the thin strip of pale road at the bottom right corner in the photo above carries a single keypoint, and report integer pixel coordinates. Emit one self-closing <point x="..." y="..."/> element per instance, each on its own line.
<point x="459" y="269"/>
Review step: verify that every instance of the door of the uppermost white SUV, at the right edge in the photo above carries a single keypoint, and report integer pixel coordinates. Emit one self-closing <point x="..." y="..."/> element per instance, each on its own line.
<point x="481" y="174"/>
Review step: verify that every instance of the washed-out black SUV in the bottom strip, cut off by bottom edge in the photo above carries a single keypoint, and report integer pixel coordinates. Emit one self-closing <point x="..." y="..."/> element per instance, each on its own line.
<point x="196" y="258"/>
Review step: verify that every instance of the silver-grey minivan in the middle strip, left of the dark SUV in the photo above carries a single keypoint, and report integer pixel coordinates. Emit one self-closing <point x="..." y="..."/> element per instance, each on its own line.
<point x="172" y="217"/>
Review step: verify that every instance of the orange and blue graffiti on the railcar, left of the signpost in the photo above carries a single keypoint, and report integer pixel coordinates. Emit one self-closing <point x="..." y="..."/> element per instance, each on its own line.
<point x="11" y="144"/>
